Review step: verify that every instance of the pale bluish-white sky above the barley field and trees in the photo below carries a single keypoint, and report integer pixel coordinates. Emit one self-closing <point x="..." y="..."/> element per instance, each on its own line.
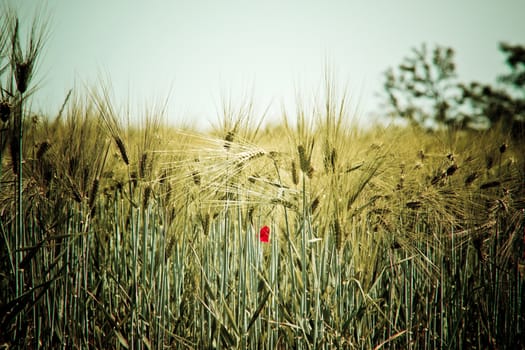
<point x="197" y="54"/>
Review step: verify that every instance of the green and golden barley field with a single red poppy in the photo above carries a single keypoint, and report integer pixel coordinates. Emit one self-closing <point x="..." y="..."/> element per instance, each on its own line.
<point x="309" y="234"/>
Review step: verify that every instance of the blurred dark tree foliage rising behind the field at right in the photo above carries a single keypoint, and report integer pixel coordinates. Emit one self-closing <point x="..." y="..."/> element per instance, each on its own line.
<point x="424" y="91"/>
